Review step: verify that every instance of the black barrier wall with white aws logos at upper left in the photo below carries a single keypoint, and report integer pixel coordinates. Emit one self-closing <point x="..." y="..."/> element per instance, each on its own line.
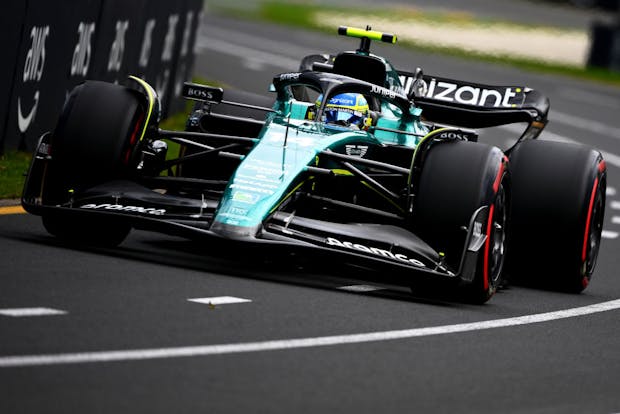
<point x="55" y="45"/>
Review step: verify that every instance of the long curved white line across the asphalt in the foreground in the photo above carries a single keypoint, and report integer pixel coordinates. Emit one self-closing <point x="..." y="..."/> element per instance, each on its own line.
<point x="206" y="350"/>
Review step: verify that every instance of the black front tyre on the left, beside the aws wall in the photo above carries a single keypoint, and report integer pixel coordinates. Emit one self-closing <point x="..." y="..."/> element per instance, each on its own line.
<point x="94" y="141"/>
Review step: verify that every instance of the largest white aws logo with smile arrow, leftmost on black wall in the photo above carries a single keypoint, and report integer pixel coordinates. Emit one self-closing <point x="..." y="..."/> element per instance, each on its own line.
<point x="33" y="72"/>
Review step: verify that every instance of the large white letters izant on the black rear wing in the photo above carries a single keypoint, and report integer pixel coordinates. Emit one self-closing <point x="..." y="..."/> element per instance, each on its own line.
<point x="473" y="95"/>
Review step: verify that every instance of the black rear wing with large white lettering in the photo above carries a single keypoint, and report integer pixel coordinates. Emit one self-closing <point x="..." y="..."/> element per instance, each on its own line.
<point x="475" y="105"/>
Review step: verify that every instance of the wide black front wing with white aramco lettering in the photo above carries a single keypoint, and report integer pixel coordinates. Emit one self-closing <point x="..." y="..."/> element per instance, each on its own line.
<point x="397" y="255"/>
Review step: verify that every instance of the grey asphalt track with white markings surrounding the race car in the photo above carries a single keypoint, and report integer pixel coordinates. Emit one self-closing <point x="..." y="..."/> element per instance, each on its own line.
<point x="114" y="330"/>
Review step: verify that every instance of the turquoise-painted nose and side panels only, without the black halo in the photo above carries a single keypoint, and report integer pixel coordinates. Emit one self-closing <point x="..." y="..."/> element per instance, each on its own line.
<point x="276" y="166"/>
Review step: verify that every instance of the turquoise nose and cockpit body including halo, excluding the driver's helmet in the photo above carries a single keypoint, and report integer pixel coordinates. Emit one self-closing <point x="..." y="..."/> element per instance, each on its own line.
<point x="291" y="140"/>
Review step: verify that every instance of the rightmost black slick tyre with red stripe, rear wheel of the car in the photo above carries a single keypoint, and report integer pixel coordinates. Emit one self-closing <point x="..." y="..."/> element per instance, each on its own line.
<point x="557" y="213"/>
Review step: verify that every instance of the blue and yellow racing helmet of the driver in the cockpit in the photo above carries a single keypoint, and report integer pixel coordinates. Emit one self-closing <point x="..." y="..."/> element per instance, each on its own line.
<point x="348" y="109"/>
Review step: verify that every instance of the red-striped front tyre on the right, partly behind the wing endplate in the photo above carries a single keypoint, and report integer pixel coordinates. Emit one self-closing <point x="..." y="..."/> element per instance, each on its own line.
<point x="457" y="178"/>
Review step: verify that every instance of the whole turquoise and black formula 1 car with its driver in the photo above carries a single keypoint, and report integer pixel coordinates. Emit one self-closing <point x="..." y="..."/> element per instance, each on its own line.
<point x="353" y="160"/>
